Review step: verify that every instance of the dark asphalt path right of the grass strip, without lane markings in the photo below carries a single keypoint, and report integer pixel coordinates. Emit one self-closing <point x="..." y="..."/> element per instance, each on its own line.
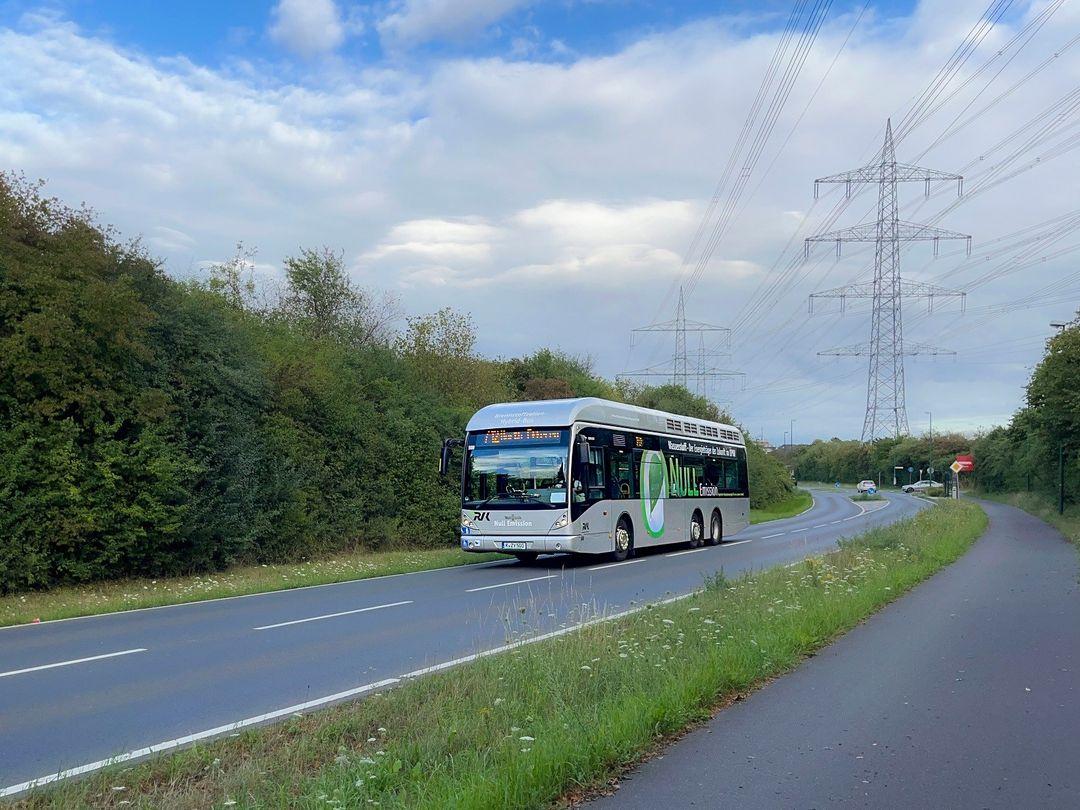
<point x="964" y="694"/>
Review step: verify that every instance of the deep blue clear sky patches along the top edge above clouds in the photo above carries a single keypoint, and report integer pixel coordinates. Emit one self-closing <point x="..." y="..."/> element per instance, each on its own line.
<point x="214" y="34"/>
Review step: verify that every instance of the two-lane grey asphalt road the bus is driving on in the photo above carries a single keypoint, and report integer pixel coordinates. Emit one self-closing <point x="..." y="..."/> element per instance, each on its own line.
<point x="76" y="693"/>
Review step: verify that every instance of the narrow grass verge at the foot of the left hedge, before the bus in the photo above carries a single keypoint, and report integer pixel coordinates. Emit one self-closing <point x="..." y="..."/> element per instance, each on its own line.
<point x="130" y="595"/>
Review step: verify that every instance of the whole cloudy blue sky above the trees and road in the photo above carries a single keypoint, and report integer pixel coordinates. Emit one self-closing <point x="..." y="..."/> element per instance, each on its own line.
<point x="545" y="166"/>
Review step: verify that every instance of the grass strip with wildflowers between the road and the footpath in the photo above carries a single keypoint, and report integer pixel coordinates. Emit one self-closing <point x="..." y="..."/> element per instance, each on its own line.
<point x="543" y="721"/>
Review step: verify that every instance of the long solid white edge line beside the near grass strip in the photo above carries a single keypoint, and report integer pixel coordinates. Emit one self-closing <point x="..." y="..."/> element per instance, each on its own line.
<point x="220" y="731"/>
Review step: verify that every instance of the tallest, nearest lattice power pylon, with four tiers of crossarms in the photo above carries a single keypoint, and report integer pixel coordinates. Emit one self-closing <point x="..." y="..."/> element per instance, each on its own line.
<point x="886" y="408"/>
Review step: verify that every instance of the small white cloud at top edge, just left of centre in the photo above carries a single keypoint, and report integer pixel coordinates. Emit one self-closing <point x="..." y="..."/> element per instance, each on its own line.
<point x="415" y="22"/>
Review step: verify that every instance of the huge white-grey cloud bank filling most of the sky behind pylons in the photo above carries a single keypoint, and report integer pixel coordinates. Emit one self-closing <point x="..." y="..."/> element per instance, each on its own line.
<point x="546" y="198"/>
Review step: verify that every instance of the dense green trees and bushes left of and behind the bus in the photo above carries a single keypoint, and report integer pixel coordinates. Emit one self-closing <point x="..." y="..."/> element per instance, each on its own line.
<point x="151" y="427"/>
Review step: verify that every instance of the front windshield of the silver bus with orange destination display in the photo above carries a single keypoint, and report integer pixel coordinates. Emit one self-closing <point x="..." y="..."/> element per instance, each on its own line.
<point x="517" y="468"/>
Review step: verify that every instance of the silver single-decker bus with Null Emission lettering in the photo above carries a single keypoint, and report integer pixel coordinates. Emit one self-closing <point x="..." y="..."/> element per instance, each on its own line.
<point x="592" y="477"/>
